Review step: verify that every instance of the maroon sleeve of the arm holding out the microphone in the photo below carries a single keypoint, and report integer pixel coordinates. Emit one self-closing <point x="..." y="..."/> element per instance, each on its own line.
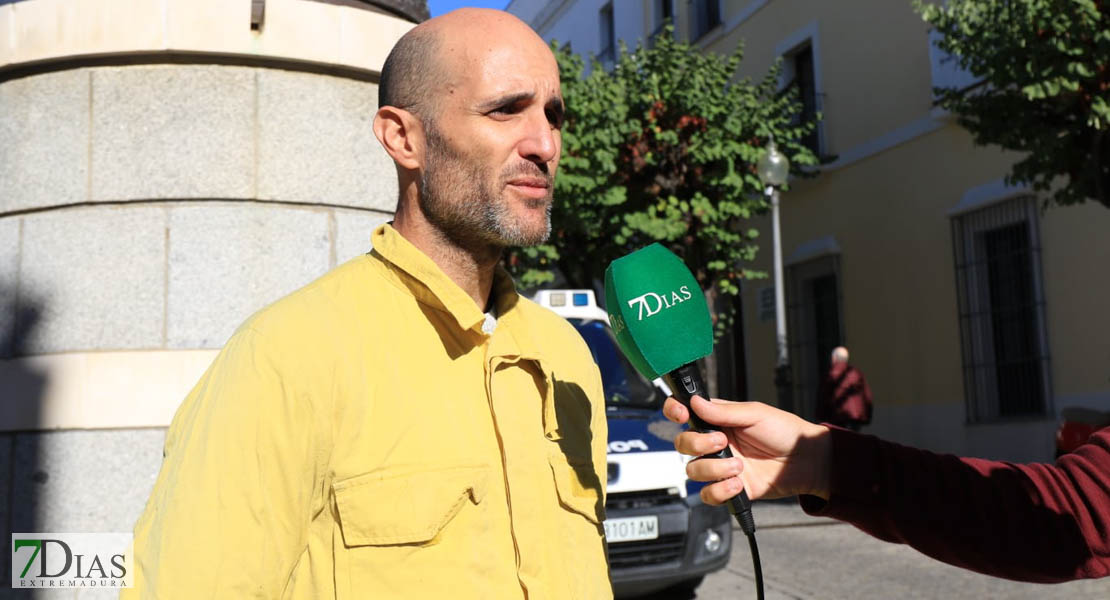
<point x="1030" y="523"/>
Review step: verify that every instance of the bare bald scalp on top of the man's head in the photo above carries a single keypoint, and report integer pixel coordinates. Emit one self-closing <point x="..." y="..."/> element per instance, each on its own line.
<point x="430" y="59"/>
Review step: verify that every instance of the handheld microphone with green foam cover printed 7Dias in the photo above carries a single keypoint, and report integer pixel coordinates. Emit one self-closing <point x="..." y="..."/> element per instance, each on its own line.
<point x="662" y="324"/>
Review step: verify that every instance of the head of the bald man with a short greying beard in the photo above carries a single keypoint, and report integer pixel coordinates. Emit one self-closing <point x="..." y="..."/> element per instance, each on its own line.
<point x="471" y="113"/>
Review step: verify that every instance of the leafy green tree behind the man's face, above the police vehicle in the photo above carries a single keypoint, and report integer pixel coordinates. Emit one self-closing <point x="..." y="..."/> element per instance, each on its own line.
<point x="662" y="148"/>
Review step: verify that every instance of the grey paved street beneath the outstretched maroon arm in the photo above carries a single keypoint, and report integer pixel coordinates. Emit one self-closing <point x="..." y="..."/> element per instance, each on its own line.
<point x="806" y="558"/>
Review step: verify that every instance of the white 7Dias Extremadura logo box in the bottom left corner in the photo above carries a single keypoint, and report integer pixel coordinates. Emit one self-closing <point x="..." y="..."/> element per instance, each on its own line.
<point x="72" y="561"/>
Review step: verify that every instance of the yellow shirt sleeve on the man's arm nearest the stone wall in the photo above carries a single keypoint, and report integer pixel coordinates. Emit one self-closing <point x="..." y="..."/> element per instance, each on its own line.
<point x="229" y="514"/>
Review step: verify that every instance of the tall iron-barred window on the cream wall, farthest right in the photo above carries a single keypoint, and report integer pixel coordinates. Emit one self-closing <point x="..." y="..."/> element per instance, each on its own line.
<point x="1002" y="312"/>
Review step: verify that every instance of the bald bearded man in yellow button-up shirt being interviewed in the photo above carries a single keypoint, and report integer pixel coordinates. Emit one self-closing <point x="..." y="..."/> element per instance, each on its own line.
<point x="407" y="426"/>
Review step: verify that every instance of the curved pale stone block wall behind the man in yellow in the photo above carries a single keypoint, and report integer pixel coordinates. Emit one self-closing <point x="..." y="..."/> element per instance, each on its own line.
<point x="167" y="169"/>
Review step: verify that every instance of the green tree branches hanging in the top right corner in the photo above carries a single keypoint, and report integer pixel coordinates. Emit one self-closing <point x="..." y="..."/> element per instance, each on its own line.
<point x="1044" y="72"/>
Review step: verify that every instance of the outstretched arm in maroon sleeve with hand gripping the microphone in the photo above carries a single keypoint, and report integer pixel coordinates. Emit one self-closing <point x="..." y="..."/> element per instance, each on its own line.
<point x="1030" y="523"/>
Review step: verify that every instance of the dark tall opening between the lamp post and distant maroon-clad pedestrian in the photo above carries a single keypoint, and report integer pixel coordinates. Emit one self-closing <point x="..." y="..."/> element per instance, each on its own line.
<point x="813" y="298"/>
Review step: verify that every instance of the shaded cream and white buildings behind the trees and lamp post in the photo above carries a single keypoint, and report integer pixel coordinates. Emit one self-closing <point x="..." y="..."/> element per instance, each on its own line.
<point x="975" y="314"/>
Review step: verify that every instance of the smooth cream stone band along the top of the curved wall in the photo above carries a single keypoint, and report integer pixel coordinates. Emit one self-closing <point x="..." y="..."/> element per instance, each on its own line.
<point x="297" y="30"/>
